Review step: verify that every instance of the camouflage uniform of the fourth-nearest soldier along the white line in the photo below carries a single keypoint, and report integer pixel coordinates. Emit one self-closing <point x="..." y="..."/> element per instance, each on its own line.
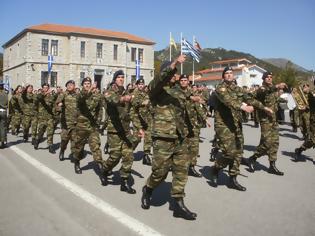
<point x="69" y="113"/>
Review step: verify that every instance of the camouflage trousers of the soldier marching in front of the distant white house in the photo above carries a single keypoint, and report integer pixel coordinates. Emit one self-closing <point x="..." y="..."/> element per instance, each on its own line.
<point x="230" y="143"/>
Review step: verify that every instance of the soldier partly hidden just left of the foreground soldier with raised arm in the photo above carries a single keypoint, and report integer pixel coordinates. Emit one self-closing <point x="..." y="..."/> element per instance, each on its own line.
<point x="143" y="117"/>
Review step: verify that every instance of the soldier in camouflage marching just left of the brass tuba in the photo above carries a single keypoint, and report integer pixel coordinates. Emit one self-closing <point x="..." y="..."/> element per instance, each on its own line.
<point x="269" y="140"/>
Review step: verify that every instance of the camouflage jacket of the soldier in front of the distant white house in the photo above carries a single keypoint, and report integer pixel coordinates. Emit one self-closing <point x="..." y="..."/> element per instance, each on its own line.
<point x="229" y="99"/>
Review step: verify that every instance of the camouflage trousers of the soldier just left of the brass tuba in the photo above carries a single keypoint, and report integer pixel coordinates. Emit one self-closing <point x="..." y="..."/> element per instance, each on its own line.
<point x="269" y="141"/>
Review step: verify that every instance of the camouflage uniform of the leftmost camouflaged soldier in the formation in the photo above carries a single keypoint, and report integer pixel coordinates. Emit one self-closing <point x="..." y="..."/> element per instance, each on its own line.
<point x="17" y="113"/>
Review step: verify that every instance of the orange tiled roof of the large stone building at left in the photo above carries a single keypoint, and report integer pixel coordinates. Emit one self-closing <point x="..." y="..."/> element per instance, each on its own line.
<point x="70" y="30"/>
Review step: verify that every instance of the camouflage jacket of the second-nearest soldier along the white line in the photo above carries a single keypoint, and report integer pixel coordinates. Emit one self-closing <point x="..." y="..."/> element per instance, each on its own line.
<point x="118" y="112"/>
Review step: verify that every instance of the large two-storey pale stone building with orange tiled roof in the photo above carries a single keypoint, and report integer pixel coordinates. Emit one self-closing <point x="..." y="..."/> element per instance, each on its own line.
<point x="77" y="53"/>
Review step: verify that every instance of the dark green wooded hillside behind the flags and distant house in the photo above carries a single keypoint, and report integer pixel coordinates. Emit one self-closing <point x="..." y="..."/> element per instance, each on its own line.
<point x="215" y="54"/>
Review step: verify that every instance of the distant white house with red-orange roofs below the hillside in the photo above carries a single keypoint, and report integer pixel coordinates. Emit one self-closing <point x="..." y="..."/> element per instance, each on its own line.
<point x="246" y="73"/>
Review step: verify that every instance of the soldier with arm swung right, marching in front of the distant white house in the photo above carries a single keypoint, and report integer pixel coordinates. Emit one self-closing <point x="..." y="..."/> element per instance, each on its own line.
<point x="231" y="101"/>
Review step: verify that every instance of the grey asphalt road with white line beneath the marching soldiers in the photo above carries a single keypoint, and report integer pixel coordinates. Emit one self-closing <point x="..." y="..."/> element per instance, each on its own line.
<point x="39" y="195"/>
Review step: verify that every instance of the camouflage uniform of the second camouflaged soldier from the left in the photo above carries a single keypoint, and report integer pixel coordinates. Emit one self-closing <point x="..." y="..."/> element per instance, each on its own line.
<point x="29" y="114"/>
